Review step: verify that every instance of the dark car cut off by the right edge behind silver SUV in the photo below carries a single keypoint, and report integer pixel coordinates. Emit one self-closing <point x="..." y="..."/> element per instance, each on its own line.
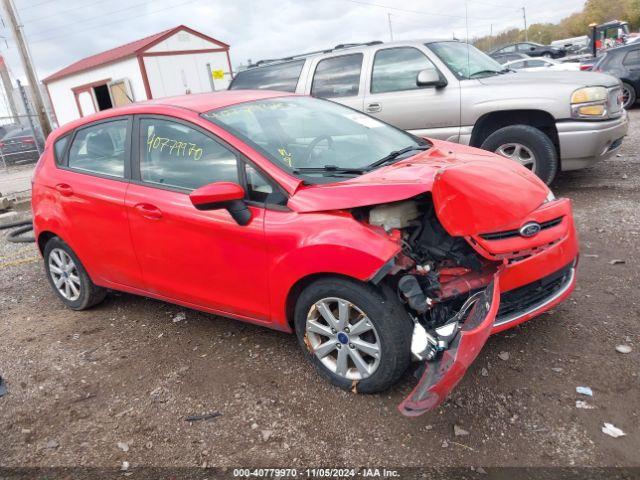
<point x="623" y="63"/>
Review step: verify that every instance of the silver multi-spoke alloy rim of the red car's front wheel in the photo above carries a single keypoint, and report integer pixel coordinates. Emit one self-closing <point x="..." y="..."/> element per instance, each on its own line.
<point x="343" y="338"/>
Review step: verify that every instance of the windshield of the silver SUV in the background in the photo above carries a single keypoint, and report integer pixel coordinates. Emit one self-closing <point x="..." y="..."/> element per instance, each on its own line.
<point x="465" y="60"/>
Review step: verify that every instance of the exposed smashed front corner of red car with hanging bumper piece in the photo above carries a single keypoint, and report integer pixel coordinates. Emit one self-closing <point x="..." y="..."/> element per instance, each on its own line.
<point x="451" y="293"/>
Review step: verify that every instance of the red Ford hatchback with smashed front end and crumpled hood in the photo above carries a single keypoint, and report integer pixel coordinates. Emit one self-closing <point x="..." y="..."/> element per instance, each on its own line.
<point x="374" y="246"/>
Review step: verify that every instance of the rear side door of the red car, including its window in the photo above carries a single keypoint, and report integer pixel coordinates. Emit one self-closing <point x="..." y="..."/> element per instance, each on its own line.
<point x="89" y="188"/>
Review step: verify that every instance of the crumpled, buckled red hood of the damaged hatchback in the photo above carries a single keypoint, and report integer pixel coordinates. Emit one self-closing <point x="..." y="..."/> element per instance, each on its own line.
<point x="474" y="191"/>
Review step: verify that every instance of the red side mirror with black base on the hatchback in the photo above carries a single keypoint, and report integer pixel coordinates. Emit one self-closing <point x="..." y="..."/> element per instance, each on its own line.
<point x="227" y="195"/>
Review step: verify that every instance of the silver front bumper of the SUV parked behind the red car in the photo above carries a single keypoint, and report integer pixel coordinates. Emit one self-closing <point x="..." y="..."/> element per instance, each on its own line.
<point x="583" y="143"/>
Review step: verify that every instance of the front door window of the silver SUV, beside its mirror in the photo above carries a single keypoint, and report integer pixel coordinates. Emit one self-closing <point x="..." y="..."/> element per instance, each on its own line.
<point x="396" y="69"/>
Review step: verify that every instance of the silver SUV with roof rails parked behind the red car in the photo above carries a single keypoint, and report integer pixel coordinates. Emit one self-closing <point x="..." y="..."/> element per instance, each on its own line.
<point x="548" y="121"/>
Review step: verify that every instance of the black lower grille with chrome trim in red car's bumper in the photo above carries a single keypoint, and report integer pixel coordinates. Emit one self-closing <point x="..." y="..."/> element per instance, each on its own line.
<point x="532" y="296"/>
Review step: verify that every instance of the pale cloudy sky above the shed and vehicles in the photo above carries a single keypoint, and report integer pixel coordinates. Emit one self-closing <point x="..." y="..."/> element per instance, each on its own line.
<point x="60" y="32"/>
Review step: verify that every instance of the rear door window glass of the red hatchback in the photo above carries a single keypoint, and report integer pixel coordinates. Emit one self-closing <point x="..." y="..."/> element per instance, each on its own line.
<point x="100" y="148"/>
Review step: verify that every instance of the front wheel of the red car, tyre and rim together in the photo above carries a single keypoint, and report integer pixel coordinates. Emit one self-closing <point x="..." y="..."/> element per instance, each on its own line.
<point x="353" y="334"/>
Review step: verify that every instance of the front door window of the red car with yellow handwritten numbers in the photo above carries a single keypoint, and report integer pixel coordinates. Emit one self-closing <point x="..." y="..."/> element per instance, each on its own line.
<point x="175" y="155"/>
